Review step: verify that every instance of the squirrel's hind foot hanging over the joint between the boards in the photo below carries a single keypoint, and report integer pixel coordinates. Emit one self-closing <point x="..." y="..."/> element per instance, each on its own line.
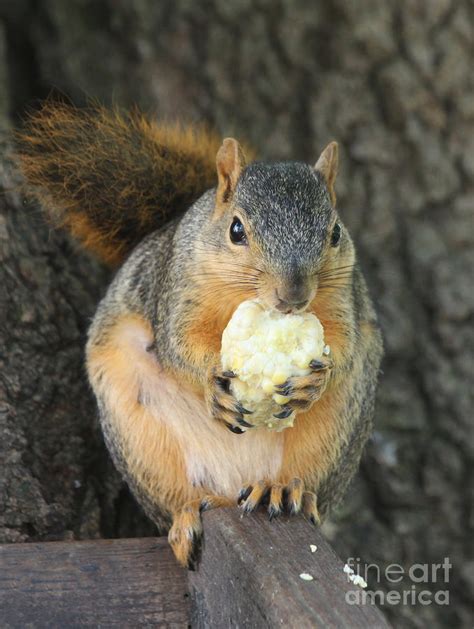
<point x="186" y="531"/>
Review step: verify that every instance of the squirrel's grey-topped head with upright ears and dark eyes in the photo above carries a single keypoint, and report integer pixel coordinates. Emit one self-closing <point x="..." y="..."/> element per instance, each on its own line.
<point x="276" y="230"/>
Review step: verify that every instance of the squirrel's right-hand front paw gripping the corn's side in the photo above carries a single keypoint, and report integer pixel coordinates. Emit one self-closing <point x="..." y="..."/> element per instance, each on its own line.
<point x="303" y="391"/>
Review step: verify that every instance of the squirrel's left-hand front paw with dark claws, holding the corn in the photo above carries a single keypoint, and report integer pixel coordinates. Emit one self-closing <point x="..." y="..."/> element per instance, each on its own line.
<point x="222" y="404"/>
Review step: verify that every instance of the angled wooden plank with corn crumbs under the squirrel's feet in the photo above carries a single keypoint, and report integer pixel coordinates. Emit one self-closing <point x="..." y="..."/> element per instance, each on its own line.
<point x="249" y="571"/>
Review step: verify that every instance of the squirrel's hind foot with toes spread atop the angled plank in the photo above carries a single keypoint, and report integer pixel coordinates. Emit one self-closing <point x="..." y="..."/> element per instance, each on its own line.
<point x="277" y="498"/>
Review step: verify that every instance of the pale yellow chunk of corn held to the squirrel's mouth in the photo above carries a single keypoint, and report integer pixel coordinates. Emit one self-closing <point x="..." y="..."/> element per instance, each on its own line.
<point x="264" y="348"/>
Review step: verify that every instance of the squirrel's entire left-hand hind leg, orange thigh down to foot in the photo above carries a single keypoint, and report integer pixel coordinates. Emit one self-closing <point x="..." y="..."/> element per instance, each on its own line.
<point x="141" y="414"/>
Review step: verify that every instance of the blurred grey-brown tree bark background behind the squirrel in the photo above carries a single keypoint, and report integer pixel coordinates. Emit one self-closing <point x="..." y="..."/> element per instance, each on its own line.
<point x="393" y="83"/>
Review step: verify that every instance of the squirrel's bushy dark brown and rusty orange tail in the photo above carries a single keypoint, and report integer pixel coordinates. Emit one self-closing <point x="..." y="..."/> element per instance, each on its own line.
<point x="112" y="178"/>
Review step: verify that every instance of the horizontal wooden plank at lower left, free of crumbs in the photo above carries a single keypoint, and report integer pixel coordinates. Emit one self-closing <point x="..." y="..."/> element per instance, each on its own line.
<point x="100" y="583"/>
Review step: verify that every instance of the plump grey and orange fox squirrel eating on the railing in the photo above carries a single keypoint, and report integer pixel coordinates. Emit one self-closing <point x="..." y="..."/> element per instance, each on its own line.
<point x="194" y="246"/>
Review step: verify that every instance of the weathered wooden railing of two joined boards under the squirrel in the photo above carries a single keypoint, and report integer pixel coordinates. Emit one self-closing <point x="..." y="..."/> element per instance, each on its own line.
<point x="248" y="576"/>
